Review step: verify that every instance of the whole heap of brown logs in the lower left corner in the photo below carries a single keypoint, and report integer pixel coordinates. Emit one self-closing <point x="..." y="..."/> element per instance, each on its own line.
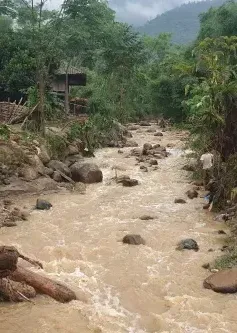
<point x="20" y="284"/>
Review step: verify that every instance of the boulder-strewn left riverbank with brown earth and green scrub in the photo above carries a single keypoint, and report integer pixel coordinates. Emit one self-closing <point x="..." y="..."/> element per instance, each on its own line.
<point x="36" y="165"/>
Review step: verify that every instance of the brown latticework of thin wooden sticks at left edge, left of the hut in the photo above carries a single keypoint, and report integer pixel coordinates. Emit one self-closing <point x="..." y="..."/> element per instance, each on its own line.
<point x="12" y="113"/>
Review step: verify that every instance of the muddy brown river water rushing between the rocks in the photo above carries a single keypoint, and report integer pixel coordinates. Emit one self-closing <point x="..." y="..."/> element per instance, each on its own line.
<point x="134" y="289"/>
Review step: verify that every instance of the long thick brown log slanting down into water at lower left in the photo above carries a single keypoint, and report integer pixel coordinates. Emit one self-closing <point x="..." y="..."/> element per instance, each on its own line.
<point x="43" y="285"/>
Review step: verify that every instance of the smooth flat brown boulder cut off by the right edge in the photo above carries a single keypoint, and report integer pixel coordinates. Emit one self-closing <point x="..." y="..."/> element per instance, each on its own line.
<point x="222" y="282"/>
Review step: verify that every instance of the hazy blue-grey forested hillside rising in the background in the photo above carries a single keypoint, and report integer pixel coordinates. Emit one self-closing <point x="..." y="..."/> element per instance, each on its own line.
<point x="182" y="22"/>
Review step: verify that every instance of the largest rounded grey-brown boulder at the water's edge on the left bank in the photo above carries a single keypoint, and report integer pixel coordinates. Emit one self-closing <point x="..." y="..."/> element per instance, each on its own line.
<point x="86" y="173"/>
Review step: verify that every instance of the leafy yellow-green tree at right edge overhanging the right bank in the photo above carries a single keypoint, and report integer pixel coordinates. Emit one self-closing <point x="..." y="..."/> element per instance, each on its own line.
<point x="212" y="104"/>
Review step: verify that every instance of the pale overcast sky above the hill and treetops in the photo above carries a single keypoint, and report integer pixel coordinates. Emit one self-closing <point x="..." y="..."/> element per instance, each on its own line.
<point x="137" y="12"/>
